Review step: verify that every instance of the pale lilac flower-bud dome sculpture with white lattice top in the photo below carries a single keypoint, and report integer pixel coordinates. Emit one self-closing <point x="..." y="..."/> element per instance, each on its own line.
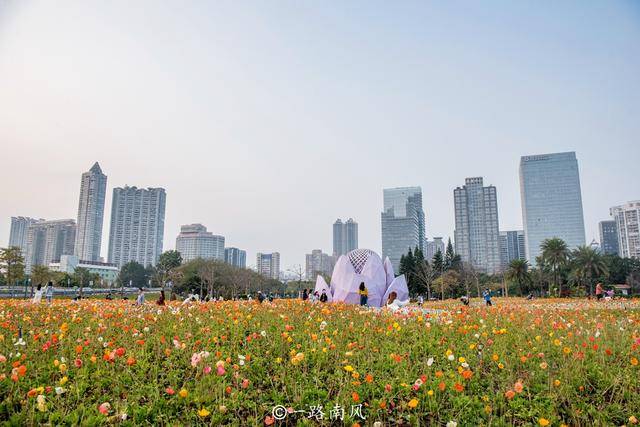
<point x="363" y="265"/>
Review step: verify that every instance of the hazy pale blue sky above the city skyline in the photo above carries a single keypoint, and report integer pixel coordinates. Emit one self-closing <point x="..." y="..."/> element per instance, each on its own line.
<point x="265" y="121"/>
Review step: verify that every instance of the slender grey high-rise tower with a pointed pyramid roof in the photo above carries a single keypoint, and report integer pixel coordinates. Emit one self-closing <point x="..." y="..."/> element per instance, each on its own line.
<point x="93" y="187"/>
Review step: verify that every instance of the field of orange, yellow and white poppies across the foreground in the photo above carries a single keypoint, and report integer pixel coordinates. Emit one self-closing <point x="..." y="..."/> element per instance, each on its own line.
<point x="551" y="362"/>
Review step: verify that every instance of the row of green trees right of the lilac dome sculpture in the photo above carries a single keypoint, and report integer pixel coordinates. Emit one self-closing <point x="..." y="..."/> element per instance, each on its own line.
<point x="558" y="271"/>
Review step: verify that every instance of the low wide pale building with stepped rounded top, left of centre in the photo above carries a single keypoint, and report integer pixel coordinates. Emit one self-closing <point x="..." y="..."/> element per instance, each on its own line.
<point x="194" y="241"/>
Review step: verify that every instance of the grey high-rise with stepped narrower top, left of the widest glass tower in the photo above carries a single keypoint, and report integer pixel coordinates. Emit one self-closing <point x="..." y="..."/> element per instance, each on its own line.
<point x="477" y="230"/>
